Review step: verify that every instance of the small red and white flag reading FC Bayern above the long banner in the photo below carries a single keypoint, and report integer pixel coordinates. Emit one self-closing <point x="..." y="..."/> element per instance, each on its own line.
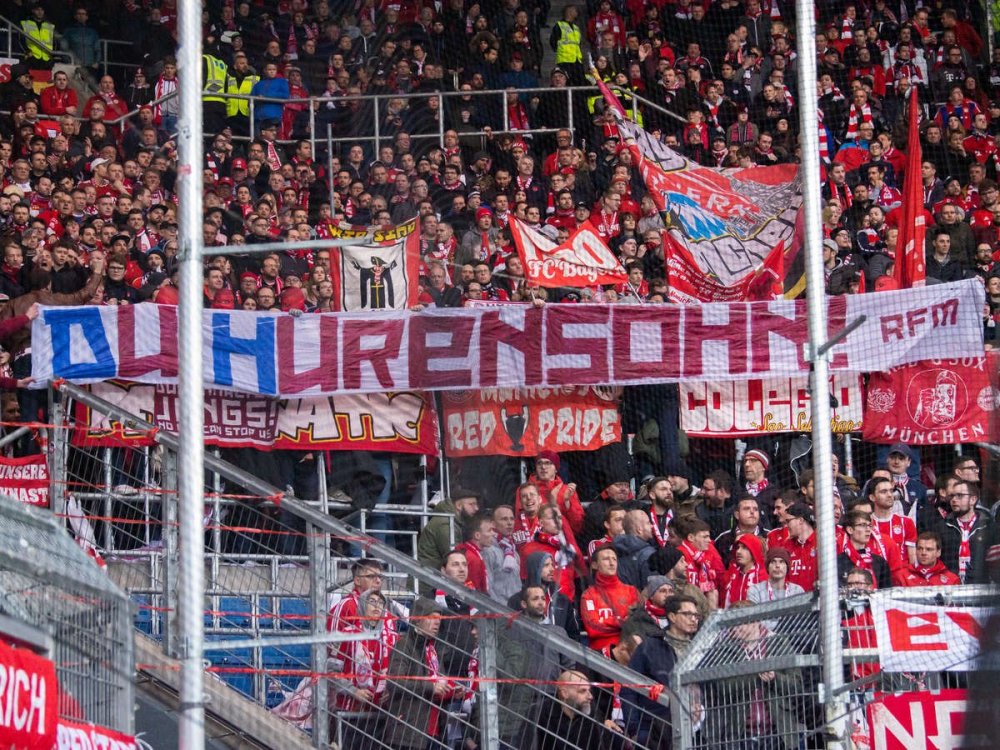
<point x="582" y="260"/>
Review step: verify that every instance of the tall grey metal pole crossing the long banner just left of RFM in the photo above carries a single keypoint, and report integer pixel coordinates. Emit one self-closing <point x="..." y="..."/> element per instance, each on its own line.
<point x="833" y="664"/>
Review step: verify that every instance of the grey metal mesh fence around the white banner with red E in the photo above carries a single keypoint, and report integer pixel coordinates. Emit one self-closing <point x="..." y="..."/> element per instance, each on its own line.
<point x="752" y="675"/>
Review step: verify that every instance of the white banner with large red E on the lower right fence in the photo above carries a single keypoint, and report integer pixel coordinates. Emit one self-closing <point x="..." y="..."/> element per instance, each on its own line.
<point x="925" y="638"/>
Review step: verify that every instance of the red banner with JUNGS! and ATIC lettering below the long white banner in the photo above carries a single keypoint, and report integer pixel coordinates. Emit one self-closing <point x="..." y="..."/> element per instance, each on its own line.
<point x="402" y="422"/>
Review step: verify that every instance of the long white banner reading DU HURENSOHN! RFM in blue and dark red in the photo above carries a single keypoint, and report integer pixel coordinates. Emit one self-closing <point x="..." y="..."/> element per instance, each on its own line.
<point x="506" y="347"/>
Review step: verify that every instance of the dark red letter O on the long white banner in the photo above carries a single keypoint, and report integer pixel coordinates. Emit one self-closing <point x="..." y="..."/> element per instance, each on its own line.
<point x="629" y="364"/>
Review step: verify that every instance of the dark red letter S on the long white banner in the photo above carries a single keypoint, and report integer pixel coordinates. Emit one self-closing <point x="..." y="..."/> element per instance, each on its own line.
<point x="591" y="348"/>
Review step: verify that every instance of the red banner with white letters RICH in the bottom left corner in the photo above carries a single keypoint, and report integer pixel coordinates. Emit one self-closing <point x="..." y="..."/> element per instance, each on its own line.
<point x="29" y="696"/>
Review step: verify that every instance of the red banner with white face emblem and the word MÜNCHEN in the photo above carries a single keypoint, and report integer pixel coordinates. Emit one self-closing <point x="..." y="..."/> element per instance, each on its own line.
<point x="934" y="402"/>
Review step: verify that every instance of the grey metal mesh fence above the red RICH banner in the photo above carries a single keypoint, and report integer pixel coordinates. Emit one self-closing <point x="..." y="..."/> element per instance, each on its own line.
<point x="50" y="586"/>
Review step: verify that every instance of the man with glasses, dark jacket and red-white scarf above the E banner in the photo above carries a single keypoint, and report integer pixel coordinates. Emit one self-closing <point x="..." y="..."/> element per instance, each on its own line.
<point x="965" y="534"/>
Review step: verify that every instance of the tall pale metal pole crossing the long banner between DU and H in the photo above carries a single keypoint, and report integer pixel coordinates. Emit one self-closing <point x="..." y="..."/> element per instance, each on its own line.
<point x="191" y="451"/>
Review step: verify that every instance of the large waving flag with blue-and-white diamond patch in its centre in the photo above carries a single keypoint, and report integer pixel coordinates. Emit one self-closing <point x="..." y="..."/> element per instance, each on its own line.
<point x="724" y="226"/>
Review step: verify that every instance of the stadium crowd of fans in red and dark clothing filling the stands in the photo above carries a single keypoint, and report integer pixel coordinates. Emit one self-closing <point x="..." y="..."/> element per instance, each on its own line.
<point x="88" y="215"/>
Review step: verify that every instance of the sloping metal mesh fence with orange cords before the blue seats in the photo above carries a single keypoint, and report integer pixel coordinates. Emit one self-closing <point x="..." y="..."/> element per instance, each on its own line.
<point x="274" y="567"/>
